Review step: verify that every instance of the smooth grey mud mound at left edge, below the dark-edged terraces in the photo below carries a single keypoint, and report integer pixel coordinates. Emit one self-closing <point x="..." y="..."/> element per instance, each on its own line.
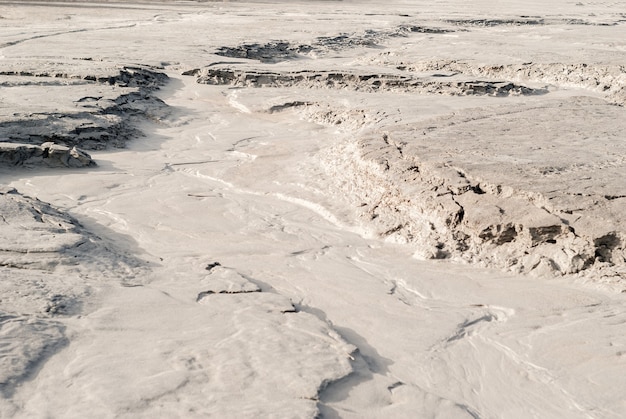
<point x="48" y="263"/>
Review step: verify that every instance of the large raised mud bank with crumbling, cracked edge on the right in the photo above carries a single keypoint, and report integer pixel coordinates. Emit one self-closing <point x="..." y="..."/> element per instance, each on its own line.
<point x="498" y="198"/>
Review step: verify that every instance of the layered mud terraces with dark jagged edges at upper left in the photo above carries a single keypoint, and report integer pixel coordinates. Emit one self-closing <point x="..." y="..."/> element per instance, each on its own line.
<point x="95" y="112"/>
